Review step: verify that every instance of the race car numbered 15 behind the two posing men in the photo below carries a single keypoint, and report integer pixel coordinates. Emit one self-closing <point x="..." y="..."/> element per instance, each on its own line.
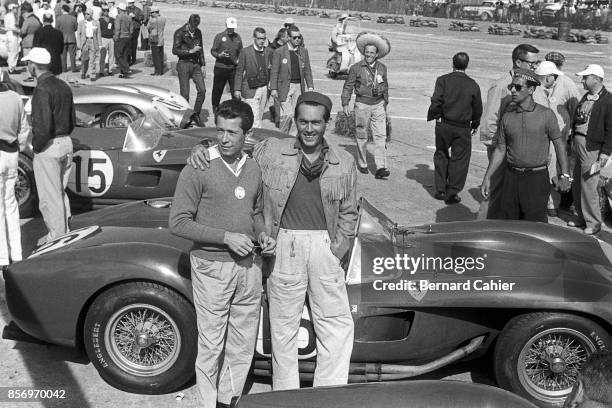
<point x="115" y="165"/>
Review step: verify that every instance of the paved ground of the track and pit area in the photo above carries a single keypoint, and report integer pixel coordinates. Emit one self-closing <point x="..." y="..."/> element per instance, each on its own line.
<point x="418" y="56"/>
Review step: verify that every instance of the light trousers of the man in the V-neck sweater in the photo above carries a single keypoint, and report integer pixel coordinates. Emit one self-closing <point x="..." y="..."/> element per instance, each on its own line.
<point x="227" y="299"/>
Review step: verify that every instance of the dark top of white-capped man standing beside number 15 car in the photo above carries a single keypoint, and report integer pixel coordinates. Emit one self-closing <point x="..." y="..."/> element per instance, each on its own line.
<point x="52" y="111"/>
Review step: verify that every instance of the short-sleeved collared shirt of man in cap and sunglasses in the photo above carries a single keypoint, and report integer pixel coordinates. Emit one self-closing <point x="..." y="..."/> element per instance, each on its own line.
<point x="527" y="133"/>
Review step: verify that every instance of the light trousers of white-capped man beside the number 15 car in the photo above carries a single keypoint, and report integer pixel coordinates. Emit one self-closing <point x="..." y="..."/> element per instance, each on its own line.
<point x="51" y="170"/>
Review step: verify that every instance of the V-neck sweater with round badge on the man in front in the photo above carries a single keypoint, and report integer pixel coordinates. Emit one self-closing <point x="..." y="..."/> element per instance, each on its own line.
<point x="205" y="206"/>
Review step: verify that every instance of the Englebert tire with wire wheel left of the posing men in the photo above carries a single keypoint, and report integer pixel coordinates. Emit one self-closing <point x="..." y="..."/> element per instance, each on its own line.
<point x="111" y="315"/>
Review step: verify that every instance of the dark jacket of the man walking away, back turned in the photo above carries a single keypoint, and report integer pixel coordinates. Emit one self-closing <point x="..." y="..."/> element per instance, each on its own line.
<point x="456" y="99"/>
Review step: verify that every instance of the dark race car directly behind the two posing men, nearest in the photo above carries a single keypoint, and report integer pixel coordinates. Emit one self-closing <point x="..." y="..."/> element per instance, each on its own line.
<point x="536" y="298"/>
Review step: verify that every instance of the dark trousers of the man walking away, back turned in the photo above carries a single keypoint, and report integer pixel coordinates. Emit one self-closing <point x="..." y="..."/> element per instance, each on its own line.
<point x="452" y="157"/>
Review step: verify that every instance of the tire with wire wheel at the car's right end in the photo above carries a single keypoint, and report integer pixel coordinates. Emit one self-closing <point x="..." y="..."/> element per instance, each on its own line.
<point x="542" y="337"/>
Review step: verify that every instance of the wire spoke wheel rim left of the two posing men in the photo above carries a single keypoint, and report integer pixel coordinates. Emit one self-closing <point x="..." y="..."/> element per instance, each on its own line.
<point x="143" y="339"/>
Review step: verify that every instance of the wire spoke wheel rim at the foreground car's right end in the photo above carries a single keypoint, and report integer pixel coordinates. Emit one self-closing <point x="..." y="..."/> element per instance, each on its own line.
<point x="549" y="362"/>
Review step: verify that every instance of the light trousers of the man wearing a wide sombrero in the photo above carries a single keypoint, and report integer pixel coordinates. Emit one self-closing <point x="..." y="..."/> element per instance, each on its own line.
<point x="373" y="117"/>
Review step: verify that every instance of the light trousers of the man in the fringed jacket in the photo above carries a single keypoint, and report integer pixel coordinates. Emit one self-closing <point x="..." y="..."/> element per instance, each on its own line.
<point x="305" y="265"/>
